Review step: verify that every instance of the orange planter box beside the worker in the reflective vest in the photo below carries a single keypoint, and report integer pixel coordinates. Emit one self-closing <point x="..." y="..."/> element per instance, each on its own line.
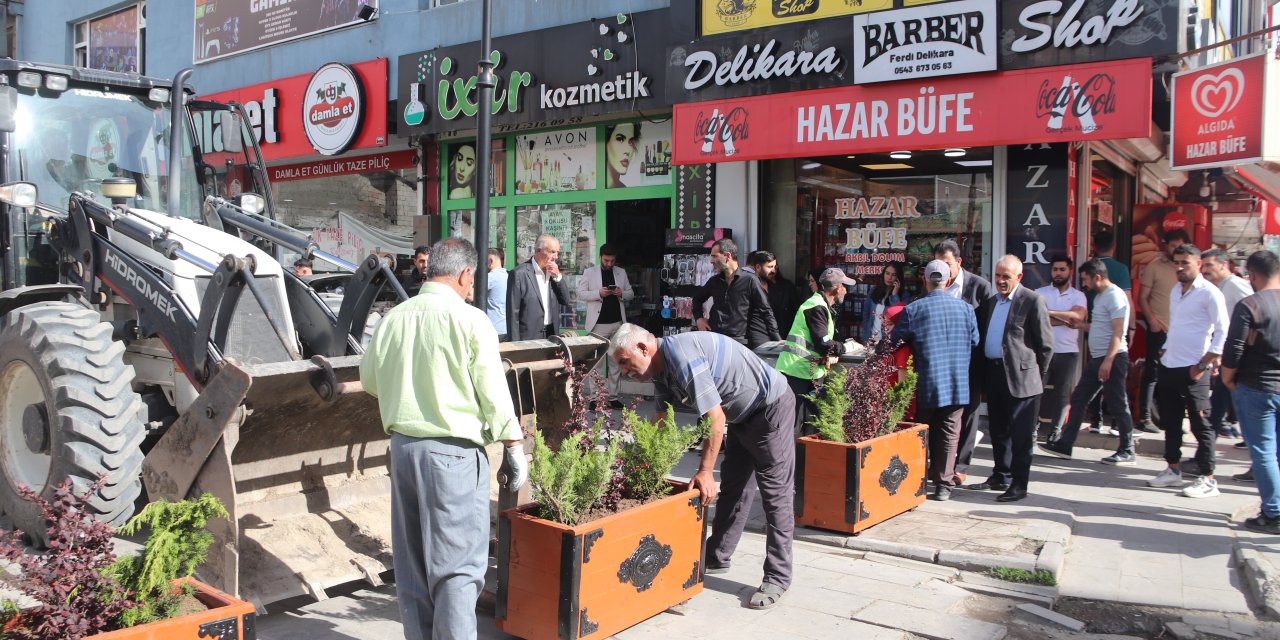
<point x="852" y="487"/>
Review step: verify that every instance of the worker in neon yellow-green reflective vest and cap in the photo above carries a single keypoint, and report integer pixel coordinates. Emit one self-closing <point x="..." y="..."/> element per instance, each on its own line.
<point x="811" y="342"/>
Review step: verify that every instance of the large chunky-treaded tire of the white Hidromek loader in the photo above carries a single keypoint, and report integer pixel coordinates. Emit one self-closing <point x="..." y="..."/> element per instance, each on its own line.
<point x="67" y="412"/>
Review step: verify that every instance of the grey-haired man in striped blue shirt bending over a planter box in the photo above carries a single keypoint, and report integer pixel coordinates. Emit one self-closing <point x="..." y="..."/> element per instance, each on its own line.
<point x="723" y="381"/>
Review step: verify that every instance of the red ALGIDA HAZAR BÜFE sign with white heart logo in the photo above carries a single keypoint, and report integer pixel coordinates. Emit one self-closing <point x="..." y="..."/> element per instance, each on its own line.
<point x="1219" y="115"/>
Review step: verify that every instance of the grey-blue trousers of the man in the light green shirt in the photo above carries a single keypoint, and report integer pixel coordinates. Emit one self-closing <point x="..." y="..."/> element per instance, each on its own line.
<point x="440" y="534"/>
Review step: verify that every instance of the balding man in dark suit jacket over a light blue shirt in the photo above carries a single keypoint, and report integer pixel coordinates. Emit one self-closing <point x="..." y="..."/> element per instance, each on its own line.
<point x="1017" y="346"/>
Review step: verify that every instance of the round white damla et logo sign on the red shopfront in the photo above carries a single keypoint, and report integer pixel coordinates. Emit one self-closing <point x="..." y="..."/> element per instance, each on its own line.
<point x="333" y="109"/>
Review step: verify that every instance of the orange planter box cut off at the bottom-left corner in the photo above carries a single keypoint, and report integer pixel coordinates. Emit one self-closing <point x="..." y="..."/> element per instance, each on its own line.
<point x="227" y="619"/>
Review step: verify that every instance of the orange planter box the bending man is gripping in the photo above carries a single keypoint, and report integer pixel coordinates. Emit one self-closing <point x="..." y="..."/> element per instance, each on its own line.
<point x="593" y="580"/>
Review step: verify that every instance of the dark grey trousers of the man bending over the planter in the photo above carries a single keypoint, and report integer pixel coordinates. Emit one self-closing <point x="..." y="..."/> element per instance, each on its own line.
<point x="762" y="447"/>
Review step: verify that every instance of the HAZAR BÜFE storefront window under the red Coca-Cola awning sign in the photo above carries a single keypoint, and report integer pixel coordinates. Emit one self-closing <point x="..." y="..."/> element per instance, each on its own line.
<point x="868" y="212"/>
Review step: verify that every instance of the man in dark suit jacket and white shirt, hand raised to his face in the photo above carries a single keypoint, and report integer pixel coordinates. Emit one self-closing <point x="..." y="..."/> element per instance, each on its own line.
<point x="536" y="294"/>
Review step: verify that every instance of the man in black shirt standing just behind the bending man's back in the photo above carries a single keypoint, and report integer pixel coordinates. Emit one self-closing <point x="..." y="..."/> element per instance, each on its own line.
<point x="739" y="307"/>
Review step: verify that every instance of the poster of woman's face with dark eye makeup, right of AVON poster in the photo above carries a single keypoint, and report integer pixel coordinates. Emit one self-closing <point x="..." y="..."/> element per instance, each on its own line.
<point x="638" y="154"/>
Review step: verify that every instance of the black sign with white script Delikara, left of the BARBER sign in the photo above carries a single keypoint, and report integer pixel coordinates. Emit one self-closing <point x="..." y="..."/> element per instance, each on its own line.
<point x="792" y="58"/>
